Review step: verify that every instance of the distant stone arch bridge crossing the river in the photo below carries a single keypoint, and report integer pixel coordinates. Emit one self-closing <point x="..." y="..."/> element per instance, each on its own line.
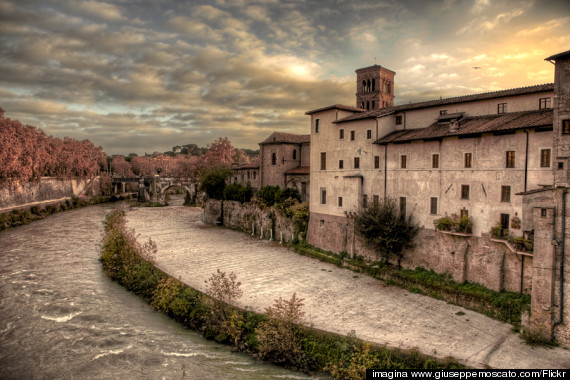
<point x="153" y="189"/>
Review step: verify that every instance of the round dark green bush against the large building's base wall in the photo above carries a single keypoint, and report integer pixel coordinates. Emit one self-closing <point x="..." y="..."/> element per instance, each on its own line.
<point x="384" y="230"/>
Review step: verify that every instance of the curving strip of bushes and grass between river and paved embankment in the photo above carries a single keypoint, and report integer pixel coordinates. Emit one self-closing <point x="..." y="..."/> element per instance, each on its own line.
<point x="276" y="336"/>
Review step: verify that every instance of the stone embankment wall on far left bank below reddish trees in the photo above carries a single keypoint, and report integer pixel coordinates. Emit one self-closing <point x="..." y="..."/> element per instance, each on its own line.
<point x="22" y="193"/>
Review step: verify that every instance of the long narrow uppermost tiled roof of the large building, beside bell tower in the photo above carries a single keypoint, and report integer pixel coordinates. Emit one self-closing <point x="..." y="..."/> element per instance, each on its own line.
<point x="443" y="102"/>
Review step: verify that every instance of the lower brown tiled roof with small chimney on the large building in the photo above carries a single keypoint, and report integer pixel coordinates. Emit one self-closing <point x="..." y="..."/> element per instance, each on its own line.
<point x="470" y="126"/>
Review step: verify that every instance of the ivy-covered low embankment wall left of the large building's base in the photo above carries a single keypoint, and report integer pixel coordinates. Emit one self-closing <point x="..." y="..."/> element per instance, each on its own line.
<point x="266" y="223"/>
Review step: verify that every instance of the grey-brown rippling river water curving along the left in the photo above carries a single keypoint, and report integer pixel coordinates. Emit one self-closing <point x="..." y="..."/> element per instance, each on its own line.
<point x="61" y="317"/>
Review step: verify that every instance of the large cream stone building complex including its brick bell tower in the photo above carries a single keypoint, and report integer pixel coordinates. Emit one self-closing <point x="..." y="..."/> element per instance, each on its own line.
<point x="501" y="158"/>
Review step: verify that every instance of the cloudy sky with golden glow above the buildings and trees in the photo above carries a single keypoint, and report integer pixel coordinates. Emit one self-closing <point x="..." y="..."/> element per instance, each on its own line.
<point x="138" y="76"/>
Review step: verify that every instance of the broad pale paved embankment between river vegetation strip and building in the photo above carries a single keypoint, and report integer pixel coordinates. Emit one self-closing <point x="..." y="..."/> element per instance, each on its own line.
<point x="336" y="299"/>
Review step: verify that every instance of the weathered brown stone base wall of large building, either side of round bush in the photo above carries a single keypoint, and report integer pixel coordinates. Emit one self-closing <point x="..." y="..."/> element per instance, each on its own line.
<point x="475" y="259"/>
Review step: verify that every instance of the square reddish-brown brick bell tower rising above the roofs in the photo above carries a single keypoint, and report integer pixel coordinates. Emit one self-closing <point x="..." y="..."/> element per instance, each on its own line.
<point x="374" y="87"/>
